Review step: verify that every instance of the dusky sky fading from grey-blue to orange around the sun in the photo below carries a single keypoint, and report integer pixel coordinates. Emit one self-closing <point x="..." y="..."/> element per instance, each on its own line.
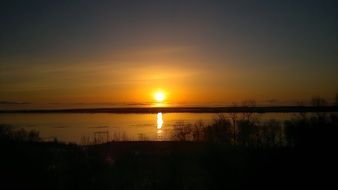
<point x="89" y="53"/>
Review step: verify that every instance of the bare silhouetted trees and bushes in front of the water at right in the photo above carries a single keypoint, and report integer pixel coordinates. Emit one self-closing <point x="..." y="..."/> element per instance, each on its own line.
<point x="246" y="129"/>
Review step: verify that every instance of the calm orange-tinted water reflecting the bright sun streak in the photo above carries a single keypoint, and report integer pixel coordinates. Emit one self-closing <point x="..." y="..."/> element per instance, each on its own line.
<point x="72" y="127"/>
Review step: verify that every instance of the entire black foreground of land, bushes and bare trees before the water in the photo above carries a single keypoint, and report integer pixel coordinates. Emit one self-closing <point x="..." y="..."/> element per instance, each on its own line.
<point x="233" y="152"/>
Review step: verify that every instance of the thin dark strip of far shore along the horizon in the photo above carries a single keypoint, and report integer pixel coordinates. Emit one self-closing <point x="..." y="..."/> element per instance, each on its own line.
<point x="258" y="109"/>
